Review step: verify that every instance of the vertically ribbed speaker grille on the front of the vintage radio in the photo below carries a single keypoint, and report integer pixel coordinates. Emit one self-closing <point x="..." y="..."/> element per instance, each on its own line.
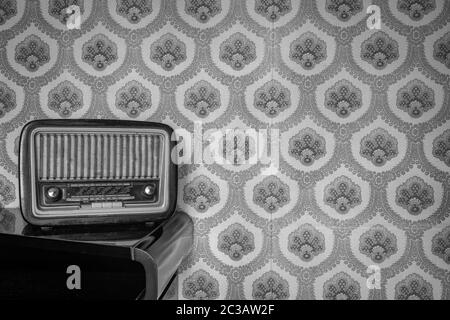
<point x="97" y="156"/>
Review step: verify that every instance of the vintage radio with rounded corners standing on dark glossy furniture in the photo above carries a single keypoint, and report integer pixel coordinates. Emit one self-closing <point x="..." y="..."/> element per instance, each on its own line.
<point x="75" y="172"/>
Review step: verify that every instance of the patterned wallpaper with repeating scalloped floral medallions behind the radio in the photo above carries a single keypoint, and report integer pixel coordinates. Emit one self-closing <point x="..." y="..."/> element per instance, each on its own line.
<point x="363" y="114"/>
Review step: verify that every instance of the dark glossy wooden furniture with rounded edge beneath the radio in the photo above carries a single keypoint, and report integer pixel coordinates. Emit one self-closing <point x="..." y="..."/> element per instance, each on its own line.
<point x="115" y="262"/>
